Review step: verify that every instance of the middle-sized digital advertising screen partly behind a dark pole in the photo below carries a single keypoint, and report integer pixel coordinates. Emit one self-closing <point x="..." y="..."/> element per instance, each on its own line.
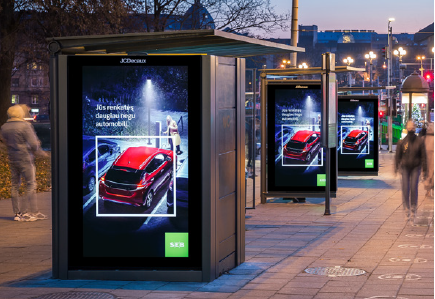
<point x="296" y="160"/>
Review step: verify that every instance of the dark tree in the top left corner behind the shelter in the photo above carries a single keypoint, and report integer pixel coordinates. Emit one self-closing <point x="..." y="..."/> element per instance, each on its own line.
<point x="25" y="25"/>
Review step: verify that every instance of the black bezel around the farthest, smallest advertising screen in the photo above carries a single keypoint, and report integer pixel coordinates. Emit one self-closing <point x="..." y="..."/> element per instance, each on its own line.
<point x="363" y="98"/>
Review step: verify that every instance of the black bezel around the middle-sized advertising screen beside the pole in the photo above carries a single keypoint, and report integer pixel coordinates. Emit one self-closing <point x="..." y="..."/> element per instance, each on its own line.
<point x="271" y="88"/>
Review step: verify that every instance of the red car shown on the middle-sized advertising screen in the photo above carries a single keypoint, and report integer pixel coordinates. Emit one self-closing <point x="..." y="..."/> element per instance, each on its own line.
<point x="302" y="146"/>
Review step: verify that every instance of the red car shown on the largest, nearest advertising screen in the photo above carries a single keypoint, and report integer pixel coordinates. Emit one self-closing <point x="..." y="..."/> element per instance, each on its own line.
<point x="136" y="175"/>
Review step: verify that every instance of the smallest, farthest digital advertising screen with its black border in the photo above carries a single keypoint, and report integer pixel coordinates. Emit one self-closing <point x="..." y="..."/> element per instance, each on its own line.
<point x="357" y="134"/>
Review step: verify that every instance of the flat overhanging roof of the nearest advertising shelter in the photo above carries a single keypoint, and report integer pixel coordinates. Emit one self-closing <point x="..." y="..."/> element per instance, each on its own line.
<point x="210" y="41"/>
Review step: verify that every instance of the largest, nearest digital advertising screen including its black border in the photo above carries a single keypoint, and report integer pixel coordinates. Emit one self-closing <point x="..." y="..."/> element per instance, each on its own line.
<point x="134" y="124"/>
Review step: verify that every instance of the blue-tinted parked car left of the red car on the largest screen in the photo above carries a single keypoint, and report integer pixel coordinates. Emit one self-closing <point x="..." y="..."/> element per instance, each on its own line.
<point x="107" y="152"/>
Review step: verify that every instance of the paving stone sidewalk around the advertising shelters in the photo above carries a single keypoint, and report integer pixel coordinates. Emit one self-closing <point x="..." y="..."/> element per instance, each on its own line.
<point x="365" y="249"/>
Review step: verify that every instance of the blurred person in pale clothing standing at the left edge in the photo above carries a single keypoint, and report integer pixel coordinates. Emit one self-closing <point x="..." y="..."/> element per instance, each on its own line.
<point x="22" y="143"/>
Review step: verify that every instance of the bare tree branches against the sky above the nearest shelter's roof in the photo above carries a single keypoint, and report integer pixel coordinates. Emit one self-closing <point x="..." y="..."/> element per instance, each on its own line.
<point x="241" y="16"/>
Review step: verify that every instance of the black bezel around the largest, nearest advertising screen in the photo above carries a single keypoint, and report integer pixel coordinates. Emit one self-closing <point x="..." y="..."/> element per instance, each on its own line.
<point x="76" y="260"/>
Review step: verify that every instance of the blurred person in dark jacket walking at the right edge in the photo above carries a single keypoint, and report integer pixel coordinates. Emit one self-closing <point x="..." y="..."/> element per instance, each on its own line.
<point x="410" y="160"/>
